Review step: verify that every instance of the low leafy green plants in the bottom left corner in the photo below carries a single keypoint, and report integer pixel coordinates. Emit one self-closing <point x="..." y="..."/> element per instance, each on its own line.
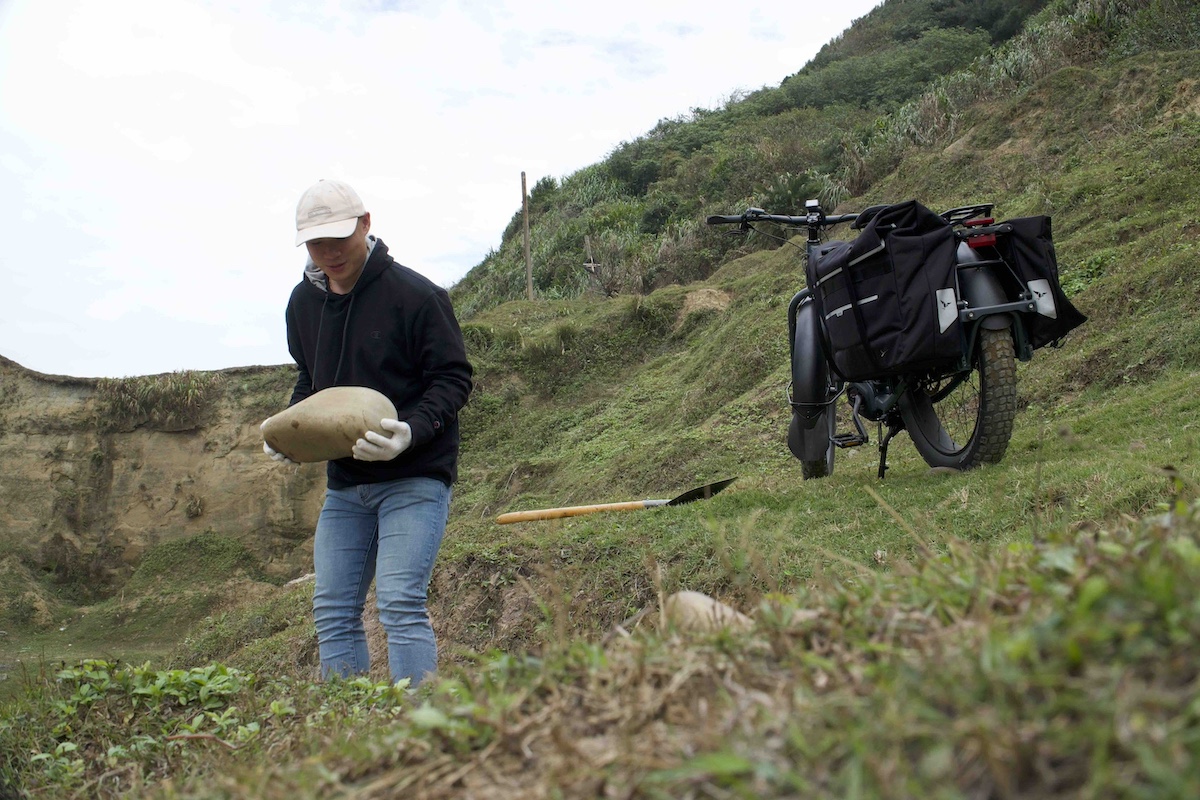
<point x="100" y="729"/>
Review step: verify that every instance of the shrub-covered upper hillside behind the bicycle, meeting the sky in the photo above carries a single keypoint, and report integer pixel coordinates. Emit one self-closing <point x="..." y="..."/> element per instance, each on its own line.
<point x="903" y="76"/>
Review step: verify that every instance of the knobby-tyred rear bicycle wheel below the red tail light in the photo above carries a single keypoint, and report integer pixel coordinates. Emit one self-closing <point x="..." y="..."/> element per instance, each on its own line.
<point x="967" y="420"/>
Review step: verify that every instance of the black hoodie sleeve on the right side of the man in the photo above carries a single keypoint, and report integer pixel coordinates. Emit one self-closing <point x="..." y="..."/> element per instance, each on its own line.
<point x="445" y="364"/>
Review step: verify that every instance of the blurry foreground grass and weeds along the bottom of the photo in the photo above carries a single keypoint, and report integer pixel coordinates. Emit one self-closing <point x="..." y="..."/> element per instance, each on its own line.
<point x="1064" y="666"/>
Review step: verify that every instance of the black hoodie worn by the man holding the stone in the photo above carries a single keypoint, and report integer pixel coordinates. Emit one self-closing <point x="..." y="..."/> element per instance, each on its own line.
<point x="395" y="333"/>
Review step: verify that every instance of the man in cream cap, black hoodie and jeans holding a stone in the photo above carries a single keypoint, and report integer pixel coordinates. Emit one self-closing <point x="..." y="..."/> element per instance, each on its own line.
<point x="358" y="318"/>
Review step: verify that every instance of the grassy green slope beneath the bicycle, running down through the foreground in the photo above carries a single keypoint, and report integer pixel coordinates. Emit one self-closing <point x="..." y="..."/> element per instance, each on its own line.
<point x="1023" y="630"/>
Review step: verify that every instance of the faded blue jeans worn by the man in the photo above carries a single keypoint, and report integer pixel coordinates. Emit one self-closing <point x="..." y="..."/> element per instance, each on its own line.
<point x="389" y="532"/>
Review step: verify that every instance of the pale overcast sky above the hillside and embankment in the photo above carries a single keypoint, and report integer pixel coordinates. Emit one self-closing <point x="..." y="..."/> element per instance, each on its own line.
<point x="153" y="152"/>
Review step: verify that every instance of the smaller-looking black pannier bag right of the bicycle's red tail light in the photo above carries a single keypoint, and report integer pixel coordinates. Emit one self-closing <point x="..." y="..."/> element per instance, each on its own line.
<point x="1030" y="252"/>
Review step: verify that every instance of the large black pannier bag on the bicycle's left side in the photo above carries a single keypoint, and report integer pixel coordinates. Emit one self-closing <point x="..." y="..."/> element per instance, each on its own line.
<point x="879" y="296"/>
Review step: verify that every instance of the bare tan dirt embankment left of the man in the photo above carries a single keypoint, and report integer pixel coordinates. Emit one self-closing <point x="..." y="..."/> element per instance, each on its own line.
<point x="83" y="495"/>
